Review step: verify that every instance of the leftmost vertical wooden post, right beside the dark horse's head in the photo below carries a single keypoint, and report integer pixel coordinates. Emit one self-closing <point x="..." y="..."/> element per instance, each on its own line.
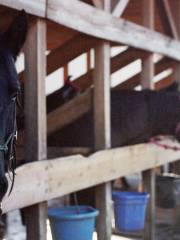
<point x="35" y="115"/>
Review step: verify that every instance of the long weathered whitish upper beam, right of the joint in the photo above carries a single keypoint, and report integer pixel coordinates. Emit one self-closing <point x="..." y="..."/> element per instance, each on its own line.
<point x="100" y="24"/>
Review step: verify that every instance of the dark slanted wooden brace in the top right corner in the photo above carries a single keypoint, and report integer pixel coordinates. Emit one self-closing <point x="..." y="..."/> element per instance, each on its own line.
<point x="167" y="19"/>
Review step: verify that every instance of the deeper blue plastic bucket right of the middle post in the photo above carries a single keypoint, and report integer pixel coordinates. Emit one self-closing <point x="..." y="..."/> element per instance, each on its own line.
<point x="129" y="210"/>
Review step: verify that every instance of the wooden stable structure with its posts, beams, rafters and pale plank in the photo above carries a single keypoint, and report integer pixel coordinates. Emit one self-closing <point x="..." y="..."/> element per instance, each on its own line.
<point x="60" y="31"/>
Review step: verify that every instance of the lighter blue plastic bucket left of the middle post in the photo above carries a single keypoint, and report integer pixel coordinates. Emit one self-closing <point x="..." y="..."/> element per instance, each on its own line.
<point x="73" y="222"/>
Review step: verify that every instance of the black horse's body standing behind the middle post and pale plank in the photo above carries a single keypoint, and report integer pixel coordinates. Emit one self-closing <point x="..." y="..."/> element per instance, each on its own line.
<point x="136" y="116"/>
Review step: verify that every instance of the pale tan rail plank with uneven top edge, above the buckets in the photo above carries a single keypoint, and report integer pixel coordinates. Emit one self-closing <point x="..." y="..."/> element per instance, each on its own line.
<point x="61" y="176"/>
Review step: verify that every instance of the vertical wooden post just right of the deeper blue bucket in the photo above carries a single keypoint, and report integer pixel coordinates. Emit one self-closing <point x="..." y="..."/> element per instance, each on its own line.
<point x="147" y="75"/>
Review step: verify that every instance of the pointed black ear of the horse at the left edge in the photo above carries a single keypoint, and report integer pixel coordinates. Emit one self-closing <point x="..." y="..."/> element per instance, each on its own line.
<point x="16" y="34"/>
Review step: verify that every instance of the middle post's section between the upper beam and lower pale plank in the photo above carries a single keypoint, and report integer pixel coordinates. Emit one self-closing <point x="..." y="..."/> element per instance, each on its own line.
<point x="102" y="96"/>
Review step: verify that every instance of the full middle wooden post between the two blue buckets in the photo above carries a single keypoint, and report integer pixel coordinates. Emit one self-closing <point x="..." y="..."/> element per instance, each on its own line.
<point x="103" y="129"/>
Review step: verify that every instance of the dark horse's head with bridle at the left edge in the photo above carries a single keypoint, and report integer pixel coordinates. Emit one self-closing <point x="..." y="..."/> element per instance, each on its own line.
<point x="11" y="43"/>
